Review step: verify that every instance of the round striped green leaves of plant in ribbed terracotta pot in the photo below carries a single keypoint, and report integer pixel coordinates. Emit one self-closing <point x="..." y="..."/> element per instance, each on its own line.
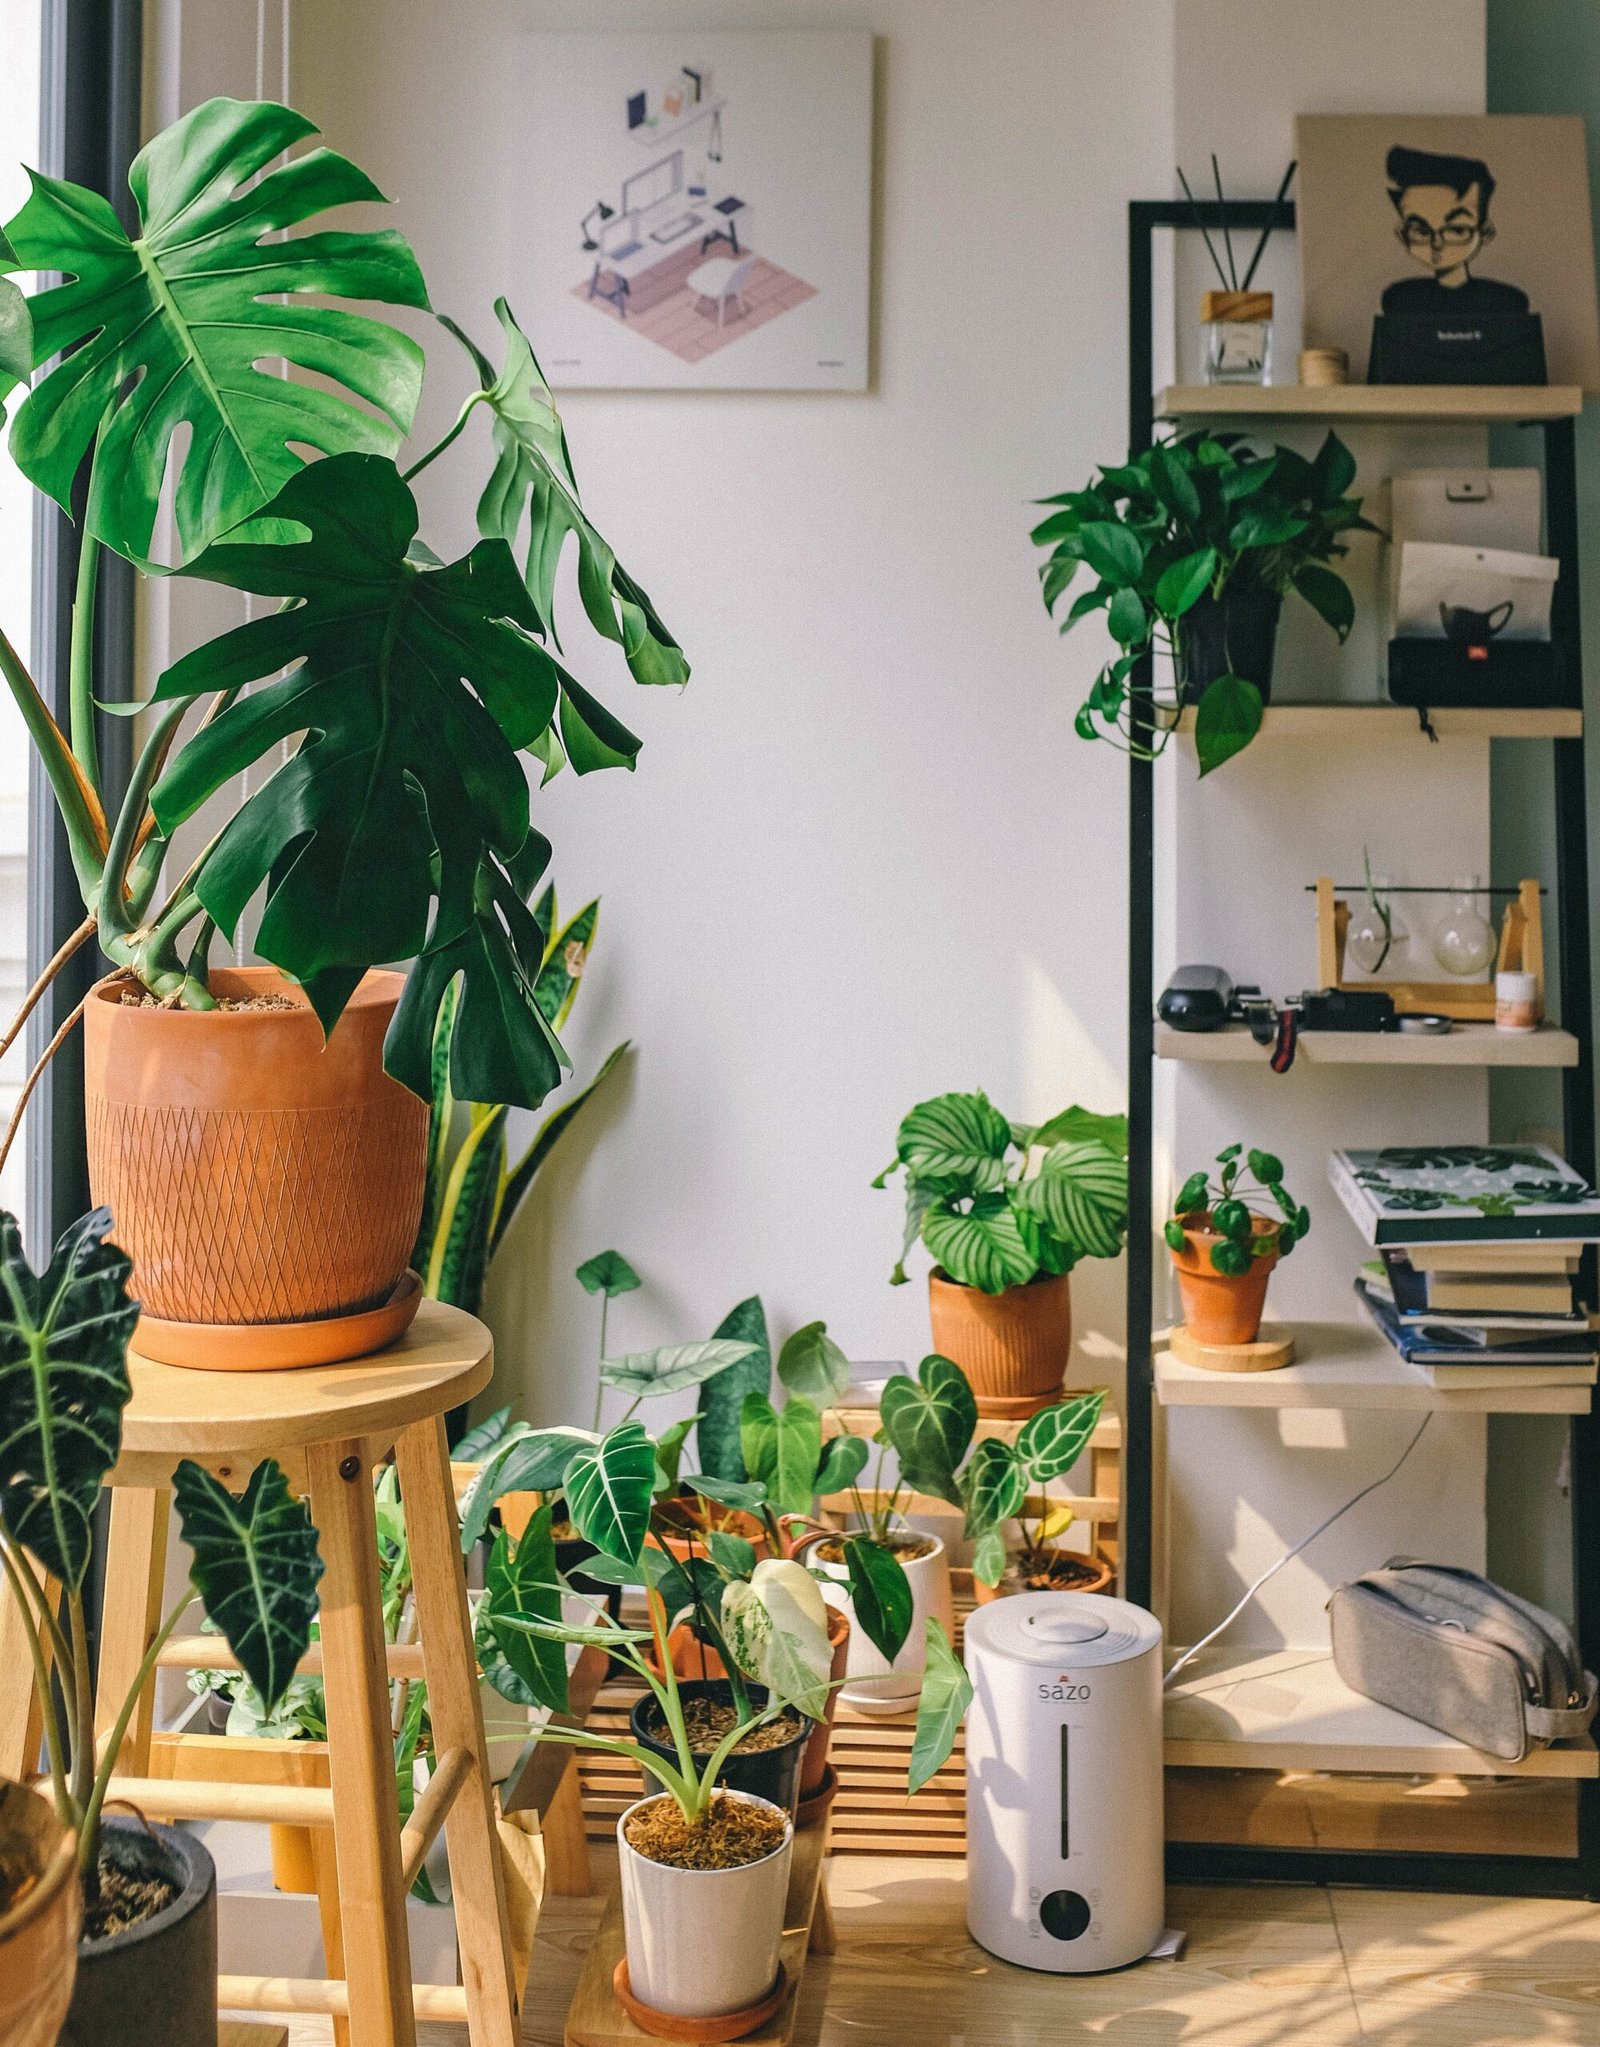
<point x="989" y="1211"/>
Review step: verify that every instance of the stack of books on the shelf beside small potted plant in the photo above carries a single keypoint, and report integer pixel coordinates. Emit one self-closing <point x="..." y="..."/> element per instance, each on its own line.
<point x="1478" y="1278"/>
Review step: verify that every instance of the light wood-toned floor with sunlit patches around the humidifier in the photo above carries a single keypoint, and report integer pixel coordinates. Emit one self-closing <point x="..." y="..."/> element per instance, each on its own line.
<point x="1263" y="1966"/>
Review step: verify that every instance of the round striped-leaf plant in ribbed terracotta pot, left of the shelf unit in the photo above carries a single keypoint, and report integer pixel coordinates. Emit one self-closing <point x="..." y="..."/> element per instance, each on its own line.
<point x="1008" y="1211"/>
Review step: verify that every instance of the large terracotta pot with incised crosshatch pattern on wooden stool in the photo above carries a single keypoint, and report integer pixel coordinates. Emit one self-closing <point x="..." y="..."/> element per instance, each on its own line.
<point x="255" y="1172"/>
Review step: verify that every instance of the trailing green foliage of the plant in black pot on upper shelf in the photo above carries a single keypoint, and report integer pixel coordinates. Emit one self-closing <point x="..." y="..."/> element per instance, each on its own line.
<point x="1196" y="523"/>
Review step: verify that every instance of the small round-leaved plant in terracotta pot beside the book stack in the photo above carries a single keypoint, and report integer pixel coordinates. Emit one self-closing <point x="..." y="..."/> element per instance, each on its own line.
<point x="1227" y="1239"/>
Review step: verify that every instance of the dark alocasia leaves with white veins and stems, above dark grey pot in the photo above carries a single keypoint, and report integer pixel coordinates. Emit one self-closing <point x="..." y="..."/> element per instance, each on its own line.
<point x="64" y="1385"/>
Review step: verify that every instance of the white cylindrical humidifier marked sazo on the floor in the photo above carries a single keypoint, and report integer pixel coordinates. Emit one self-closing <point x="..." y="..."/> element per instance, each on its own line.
<point x="1065" y="1782"/>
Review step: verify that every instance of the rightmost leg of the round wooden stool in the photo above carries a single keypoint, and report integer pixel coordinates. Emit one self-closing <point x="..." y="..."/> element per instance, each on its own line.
<point x="478" y="1884"/>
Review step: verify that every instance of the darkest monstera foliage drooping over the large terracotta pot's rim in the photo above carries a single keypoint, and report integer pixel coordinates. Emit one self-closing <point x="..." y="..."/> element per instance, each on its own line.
<point x="416" y="685"/>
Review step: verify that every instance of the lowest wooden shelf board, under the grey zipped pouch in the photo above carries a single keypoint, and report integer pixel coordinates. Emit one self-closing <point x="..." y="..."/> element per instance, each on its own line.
<point x="1286" y="1710"/>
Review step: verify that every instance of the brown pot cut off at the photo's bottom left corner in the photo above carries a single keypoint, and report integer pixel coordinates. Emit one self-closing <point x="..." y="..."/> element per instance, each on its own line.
<point x="38" y="1933"/>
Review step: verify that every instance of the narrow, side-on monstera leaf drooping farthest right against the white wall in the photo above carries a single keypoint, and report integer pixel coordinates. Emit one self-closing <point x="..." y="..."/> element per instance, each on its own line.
<point x="535" y="478"/>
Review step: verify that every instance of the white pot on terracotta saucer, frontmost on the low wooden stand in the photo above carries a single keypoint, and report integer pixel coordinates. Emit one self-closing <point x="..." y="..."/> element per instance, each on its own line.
<point x="703" y="1942"/>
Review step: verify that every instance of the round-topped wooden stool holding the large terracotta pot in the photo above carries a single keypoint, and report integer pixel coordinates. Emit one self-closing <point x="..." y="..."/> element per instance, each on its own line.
<point x="328" y="1428"/>
